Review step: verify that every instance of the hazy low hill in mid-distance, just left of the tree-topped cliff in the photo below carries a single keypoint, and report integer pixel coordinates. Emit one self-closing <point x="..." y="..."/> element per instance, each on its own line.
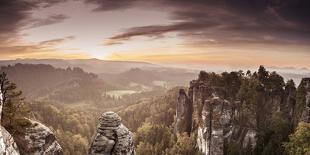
<point x="144" y="78"/>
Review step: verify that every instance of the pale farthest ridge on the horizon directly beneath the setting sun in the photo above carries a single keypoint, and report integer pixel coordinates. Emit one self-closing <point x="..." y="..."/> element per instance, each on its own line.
<point x="88" y="65"/>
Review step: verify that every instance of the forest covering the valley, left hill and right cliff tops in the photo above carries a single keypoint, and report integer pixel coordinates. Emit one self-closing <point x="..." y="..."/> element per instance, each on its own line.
<point x="72" y="110"/>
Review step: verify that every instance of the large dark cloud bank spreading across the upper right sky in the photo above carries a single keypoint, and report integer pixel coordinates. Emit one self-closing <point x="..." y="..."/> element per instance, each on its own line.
<point x="286" y="21"/>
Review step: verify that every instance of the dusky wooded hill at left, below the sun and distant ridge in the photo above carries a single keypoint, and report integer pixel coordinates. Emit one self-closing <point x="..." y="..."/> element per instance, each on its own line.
<point x="40" y="80"/>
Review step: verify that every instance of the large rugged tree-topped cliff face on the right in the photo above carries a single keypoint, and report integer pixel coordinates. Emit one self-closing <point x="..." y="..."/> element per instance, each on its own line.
<point x="219" y="120"/>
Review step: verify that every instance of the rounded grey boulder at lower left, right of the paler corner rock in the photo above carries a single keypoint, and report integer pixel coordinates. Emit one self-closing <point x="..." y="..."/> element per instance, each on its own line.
<point x="36" y="138"/>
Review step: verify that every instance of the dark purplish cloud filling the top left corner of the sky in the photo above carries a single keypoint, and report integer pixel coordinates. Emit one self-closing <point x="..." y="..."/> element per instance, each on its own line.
<point x="14" y="15"/>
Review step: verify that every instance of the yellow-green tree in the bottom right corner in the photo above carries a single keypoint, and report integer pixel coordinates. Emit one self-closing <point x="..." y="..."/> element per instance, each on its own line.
<point x="299" y="143"/>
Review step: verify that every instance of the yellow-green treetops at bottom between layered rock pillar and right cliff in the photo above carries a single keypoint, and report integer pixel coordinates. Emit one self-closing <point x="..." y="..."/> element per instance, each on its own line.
<point x="153" y="139"/>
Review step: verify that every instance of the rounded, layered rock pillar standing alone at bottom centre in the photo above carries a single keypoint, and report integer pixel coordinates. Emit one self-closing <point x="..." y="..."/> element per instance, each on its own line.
<point x="112" y="137"/>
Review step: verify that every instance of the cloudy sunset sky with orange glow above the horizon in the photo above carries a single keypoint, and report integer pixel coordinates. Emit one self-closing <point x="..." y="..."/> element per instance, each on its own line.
<point x="180" y="32"/>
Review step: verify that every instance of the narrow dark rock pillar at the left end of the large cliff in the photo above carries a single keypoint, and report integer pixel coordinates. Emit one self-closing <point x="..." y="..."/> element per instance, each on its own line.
<point x="184" y="108"/>
